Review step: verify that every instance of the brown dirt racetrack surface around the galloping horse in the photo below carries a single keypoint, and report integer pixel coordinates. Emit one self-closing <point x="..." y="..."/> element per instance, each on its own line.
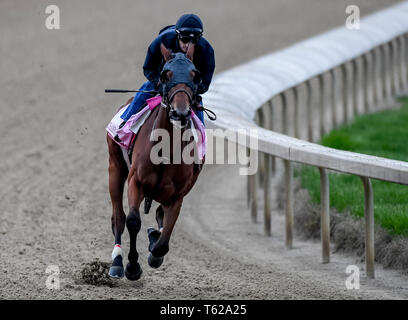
<point x="55" y="207"/>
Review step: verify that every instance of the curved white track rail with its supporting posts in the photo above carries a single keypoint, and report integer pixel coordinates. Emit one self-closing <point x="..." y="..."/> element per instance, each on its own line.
<point x="308" y="89"/>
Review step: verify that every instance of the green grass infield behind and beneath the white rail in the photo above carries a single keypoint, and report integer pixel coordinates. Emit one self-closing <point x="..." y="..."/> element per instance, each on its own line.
<point x="383" y="134"/>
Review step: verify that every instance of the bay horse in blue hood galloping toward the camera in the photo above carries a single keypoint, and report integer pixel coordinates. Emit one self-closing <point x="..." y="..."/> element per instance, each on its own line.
<point x="166" y="183"/>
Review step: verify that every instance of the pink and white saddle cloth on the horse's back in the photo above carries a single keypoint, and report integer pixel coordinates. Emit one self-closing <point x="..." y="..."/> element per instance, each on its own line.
<point x="128" y="132"/>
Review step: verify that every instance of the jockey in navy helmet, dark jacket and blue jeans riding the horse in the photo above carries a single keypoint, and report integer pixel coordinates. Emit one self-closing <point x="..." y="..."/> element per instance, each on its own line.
<point x="187" y="31"/>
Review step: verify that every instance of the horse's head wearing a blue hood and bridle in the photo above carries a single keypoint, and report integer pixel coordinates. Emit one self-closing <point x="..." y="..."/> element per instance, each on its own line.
<point x="180" y="80"/>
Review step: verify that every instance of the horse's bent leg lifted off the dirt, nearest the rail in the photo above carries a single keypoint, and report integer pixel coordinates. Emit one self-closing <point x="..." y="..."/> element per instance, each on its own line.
<point x="160" y="247"/>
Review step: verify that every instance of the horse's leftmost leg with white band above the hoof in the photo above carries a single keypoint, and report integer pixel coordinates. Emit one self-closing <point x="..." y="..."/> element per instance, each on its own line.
<point x="117" y="177"/>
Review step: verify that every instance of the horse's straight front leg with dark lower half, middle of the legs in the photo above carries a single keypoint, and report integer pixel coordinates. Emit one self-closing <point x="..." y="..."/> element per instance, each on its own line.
<point x="133" y="223"/>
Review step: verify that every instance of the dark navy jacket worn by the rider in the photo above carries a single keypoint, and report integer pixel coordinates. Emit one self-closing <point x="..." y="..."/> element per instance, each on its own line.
<point x="203" y="58"/>
